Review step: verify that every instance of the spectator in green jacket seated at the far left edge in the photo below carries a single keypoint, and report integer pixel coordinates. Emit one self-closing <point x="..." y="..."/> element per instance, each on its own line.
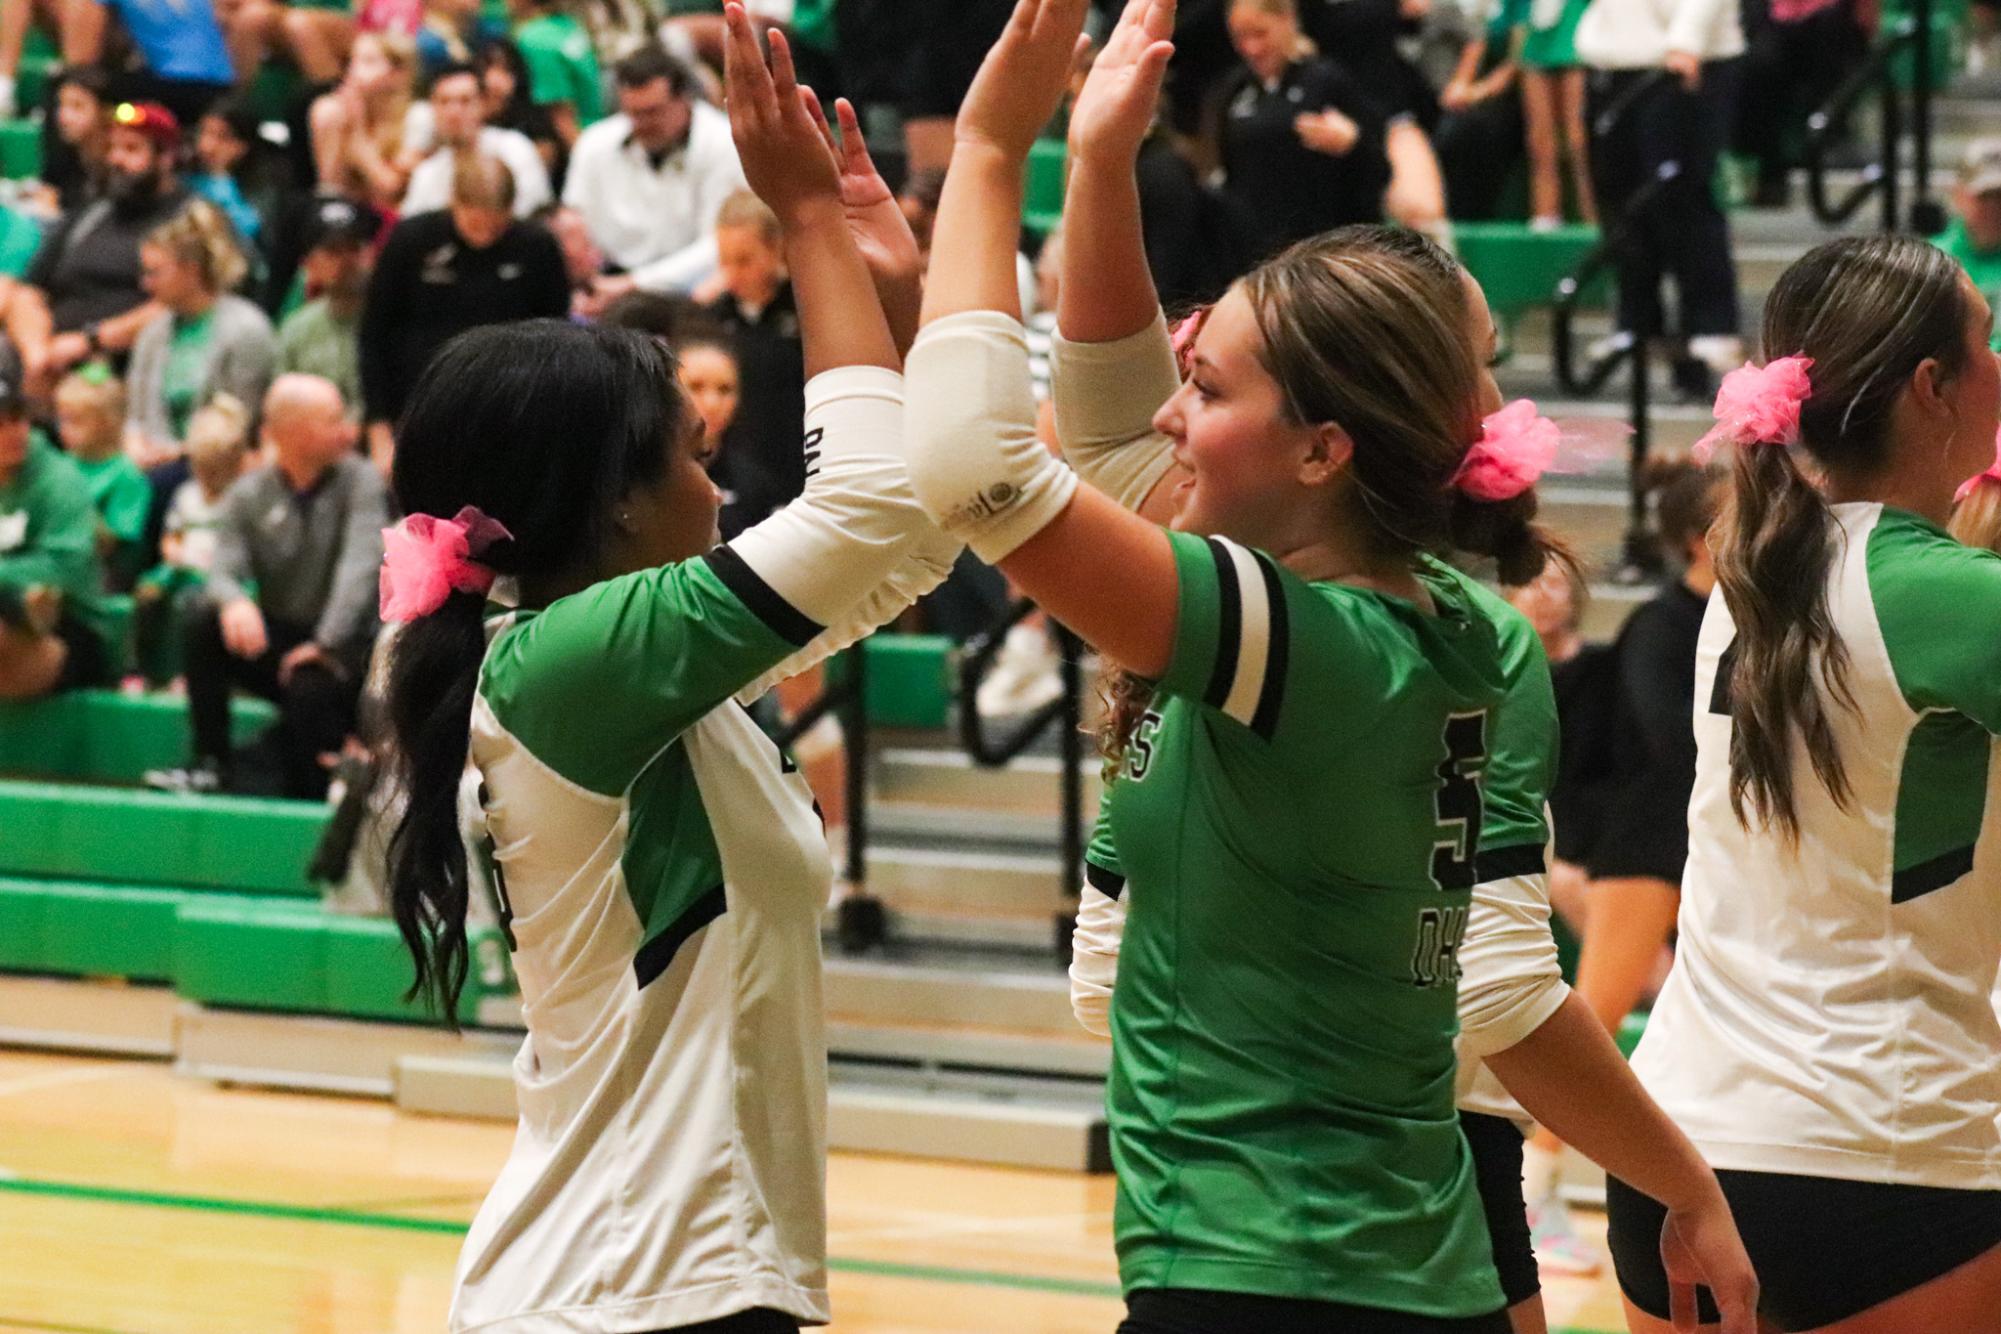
<point x="51" y="617"/>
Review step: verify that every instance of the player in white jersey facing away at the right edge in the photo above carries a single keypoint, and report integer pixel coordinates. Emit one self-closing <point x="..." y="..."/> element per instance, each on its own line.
<point x="1828" y="1035"/>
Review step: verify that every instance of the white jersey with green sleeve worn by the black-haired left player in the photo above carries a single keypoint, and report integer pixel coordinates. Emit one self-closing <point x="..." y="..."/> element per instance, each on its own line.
<point x="661" y="873"/>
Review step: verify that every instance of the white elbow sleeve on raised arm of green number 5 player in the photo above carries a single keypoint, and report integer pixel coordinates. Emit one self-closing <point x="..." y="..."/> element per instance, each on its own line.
<point x="975" y="459"/>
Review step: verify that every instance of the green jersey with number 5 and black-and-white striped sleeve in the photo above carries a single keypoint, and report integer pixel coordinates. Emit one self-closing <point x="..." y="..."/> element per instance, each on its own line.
<point x="1302" y="819"/>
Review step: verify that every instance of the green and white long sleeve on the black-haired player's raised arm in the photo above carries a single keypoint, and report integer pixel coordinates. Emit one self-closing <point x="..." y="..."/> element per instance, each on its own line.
<point x="605" y="681"/>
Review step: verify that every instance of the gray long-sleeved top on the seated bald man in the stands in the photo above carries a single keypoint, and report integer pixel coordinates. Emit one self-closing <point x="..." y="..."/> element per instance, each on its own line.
<point x="315" y="557"/>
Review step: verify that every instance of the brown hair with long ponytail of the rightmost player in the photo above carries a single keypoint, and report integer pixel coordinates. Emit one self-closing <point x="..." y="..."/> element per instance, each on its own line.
<point x="1868" y="311"/>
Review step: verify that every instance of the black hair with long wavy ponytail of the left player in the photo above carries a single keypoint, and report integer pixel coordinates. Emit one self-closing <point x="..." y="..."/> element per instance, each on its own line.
<point x="543" y="427"/>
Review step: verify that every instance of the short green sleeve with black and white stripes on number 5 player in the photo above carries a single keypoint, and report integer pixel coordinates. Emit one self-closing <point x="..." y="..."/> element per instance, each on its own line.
<point x="1232" y="635"/>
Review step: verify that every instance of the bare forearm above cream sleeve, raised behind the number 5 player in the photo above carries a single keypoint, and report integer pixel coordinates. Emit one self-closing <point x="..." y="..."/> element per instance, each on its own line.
<point x="1108" y="289"/>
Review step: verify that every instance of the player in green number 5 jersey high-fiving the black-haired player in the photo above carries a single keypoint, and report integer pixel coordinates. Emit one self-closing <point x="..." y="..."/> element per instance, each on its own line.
<point x="1308" y="821"/>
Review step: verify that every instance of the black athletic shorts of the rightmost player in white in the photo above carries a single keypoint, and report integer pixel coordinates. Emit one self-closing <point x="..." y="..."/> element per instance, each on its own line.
<point x="1824" y="1249"/>
